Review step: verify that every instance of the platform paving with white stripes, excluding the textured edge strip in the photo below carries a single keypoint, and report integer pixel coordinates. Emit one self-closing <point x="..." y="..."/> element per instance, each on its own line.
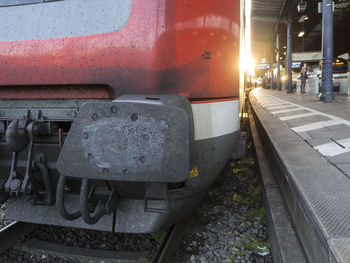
<point x="327" y="129"/>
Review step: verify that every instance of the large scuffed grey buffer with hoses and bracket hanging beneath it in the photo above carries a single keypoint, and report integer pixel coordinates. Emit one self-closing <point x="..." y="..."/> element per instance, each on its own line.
<point x="135" y="138"/>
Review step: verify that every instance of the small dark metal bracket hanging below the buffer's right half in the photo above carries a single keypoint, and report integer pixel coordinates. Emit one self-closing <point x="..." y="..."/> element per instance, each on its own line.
<point x="156" y="198"/>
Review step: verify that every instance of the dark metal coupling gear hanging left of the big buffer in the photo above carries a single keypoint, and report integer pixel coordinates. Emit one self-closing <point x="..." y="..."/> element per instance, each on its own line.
<point x="20" y="137"/>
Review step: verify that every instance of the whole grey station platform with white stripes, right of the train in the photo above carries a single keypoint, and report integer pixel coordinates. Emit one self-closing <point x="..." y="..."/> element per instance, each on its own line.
<point x="308" y="146"/>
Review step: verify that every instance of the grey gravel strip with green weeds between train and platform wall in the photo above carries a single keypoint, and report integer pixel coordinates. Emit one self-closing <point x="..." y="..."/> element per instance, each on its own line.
<point x="229" y="224"/>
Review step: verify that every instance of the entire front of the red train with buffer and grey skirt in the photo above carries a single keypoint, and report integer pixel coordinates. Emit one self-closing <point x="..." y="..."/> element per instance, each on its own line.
<point x="115" y="115"/>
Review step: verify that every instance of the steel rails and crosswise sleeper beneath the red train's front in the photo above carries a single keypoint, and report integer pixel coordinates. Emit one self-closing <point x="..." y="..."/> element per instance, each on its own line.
<point x="11" y="234"/>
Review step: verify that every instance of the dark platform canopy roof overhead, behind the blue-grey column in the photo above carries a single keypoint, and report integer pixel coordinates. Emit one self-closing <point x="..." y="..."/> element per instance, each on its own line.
<point x="267" y="20"/>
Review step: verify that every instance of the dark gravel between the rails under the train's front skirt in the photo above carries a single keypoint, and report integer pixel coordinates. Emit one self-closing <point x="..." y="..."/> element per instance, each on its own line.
<point x="80" y="238"/>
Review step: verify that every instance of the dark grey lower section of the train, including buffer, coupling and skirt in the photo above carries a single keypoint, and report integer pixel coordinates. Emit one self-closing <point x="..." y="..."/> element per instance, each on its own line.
<point x="119" y="165"/>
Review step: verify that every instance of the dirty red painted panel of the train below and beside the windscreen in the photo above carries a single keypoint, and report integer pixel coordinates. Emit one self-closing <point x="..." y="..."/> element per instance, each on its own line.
<point x="189" y="47"/>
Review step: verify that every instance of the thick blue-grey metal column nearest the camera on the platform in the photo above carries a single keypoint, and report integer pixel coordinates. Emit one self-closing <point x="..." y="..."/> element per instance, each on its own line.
<point x="327" y="51"/>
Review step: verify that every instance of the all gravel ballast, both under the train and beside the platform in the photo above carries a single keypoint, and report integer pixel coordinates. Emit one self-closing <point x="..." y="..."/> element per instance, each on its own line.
<point x="228" y="226"/>
